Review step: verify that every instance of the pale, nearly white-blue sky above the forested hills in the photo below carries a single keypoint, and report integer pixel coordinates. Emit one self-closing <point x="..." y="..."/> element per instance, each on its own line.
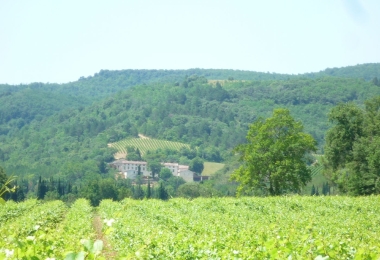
<point x="62" y="40"/>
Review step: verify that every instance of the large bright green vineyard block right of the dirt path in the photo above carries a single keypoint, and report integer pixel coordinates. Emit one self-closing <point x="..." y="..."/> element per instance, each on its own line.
<point x="247" y="228"/>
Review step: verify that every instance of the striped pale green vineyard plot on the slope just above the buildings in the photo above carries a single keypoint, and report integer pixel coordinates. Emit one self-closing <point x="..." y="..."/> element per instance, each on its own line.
<point x="147" y="144"/>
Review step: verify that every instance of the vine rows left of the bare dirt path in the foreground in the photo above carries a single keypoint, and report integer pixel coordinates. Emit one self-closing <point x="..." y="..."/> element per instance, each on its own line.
<point x="32" y="230"/>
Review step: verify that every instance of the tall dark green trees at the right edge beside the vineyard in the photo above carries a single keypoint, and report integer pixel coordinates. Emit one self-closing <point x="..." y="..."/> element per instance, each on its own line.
<point x="352" y="150"/>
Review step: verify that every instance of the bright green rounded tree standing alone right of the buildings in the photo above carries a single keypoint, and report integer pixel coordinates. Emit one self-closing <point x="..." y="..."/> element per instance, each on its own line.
<point x="274" y="155"/>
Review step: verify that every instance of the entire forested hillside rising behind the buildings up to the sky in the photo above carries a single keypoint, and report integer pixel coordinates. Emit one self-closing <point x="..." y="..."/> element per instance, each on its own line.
<point x="62" y="130"/>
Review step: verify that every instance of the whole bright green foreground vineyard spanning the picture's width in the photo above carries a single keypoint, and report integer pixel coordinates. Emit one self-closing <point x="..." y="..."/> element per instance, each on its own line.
<point x="227" y="228"/>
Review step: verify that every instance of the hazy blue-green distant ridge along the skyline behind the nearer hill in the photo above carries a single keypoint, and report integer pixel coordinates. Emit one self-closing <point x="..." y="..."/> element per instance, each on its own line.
<point x="21" y="104"/>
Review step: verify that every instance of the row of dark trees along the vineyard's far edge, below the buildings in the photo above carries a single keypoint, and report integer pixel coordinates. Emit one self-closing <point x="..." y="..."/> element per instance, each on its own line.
<point x="167" y="186"/>
